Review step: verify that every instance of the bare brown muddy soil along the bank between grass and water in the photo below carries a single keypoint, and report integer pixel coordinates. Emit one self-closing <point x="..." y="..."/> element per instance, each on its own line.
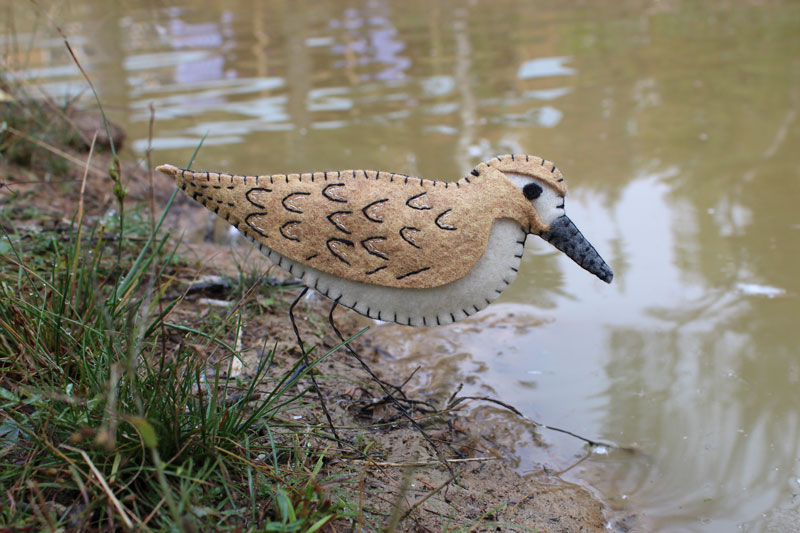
<point x="401" y="479"/>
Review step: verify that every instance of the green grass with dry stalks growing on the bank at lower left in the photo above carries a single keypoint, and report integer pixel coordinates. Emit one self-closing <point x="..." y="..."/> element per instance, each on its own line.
<point x="108" y="417"/>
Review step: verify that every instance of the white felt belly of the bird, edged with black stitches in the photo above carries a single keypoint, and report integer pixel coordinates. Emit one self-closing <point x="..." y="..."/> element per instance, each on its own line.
<point x="451" y="302"/>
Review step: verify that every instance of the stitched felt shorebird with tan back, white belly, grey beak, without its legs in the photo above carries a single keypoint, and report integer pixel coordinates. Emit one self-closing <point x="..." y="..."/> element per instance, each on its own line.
<point x="398" y="248"/>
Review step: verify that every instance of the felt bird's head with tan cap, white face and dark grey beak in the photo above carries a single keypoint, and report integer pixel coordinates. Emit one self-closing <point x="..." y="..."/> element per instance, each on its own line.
<point x="543" y="185"/>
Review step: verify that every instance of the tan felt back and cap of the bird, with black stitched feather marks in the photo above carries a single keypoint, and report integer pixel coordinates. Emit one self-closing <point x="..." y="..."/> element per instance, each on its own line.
<point x="374" y="227"/>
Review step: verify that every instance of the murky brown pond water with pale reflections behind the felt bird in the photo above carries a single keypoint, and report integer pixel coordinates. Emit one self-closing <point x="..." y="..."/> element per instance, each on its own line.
<point x="675" y="123"/>
